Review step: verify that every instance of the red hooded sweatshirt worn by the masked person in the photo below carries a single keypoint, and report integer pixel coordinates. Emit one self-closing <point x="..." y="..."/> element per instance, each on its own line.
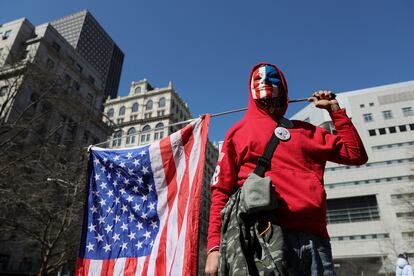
<point x="296" y="169"/>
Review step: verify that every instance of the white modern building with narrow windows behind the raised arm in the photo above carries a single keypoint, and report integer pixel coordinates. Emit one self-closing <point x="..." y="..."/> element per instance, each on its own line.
<point x="370" y="210"/>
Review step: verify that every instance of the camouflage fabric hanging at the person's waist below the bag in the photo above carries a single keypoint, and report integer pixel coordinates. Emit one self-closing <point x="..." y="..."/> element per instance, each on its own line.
<point x="243" y="251"/>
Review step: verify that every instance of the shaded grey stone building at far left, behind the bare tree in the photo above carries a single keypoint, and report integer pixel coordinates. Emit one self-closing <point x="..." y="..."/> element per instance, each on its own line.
<point x="55" y="95"/>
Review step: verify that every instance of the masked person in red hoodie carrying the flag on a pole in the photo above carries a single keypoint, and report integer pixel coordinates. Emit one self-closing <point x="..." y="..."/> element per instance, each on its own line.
<point x="296" y="169"/>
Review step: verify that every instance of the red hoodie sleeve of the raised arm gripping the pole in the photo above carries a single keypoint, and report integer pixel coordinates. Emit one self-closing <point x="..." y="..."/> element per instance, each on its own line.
<point x="348" y="148"/>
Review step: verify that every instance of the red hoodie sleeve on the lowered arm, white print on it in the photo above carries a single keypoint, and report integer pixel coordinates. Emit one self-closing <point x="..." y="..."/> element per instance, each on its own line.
<point x="223" y="184"/>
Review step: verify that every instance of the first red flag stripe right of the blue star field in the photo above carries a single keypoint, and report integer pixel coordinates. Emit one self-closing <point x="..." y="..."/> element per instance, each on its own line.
<point x="170" y="178"/>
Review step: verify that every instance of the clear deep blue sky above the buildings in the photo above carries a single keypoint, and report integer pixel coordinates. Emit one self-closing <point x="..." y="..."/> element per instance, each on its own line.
<point x="207" y="48"/>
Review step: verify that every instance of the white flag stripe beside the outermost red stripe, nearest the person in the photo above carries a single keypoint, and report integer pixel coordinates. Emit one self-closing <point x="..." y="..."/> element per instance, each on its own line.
<point x="177" y="268"/>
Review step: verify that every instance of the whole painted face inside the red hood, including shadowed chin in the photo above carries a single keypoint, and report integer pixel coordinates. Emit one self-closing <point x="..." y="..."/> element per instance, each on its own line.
<point x="265" y="87"/>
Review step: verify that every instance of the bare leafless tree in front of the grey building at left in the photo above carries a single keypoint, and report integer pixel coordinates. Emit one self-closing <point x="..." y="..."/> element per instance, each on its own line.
<point x="42" y="165"/>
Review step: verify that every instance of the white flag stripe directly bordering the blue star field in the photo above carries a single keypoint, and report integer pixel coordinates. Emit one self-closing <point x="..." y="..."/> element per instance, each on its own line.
<point x="162" y="206"/>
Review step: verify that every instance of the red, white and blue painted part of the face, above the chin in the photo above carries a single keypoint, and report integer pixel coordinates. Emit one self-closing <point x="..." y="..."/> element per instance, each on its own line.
<point x="265" y="83"/>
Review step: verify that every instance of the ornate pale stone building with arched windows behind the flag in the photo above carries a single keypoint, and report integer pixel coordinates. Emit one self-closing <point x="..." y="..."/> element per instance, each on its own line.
<point x="143" y="117"/>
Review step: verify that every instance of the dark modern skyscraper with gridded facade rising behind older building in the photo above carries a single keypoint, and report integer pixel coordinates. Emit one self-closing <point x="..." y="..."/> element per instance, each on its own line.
<point x="92" y="42"/>
